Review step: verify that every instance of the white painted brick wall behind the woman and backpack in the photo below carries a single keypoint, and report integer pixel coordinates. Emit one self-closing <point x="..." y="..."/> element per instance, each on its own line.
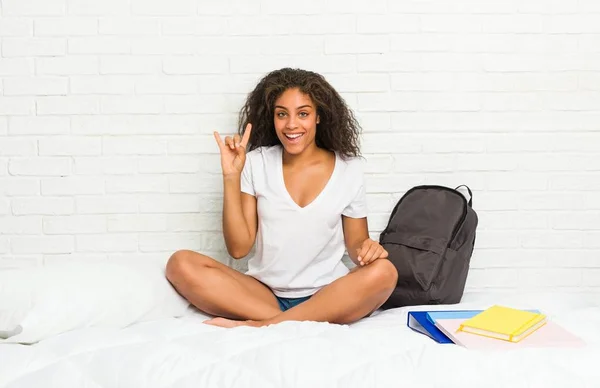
<point x="107" y="110"/>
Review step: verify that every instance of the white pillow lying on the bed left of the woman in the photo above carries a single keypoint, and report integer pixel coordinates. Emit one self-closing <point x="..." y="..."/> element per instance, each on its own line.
<point x="37" y="303"/>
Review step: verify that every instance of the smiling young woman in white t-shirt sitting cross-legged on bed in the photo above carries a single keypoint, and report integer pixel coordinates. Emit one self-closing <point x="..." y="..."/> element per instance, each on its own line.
<point x="293" y="184"/>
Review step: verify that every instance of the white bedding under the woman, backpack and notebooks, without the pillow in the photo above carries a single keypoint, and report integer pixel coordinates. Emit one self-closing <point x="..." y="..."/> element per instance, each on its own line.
<point x="378" y="351"/>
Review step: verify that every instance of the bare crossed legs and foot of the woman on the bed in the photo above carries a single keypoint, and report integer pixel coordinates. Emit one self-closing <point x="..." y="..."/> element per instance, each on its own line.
<point x="239" y="299"/>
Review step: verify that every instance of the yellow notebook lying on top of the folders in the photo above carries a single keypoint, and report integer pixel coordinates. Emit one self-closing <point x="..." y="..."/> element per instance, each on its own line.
<point x="504" y="323"/>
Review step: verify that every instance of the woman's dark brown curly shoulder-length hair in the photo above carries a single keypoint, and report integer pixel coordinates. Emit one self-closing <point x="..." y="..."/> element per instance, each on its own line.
<point x="338" y="129"/>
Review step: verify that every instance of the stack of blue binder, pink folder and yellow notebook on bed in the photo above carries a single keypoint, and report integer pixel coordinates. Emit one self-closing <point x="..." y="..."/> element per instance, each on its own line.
<point x="495" y="327"/>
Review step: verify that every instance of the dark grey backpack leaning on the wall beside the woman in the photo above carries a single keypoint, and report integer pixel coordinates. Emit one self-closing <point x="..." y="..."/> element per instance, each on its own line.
<point x="430" y="238"/>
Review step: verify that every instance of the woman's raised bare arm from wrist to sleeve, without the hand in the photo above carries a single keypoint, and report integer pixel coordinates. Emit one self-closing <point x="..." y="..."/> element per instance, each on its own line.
<point x="240" y="221"/>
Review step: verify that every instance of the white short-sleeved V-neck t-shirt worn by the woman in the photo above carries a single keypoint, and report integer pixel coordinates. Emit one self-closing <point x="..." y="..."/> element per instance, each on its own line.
<point x="299" y="250"/>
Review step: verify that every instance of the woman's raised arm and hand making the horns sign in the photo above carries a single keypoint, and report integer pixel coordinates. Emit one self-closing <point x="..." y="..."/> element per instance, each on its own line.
<point x="239" y="209"/>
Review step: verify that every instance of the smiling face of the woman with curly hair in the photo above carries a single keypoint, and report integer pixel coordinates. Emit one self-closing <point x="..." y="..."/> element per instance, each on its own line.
<point x="295" y="121"/>
